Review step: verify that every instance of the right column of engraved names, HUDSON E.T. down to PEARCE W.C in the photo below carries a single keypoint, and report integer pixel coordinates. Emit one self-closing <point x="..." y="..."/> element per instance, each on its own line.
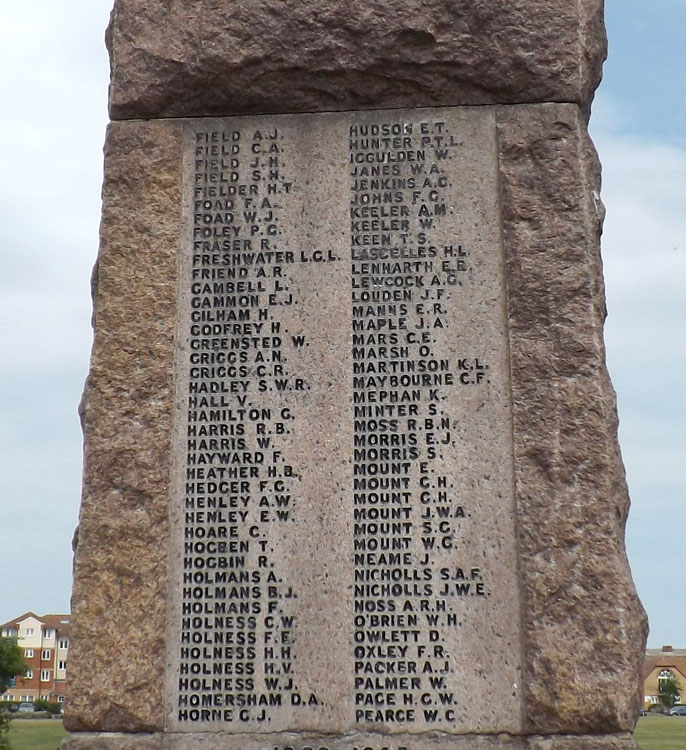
<point x="402" y="282"/>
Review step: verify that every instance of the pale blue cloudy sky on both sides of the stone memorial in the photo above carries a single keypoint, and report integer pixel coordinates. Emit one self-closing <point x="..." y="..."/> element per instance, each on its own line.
<point x="53" y="75"/>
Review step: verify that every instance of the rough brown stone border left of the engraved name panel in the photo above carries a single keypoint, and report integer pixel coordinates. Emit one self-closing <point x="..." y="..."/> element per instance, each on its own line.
<point x="117" y="646"/>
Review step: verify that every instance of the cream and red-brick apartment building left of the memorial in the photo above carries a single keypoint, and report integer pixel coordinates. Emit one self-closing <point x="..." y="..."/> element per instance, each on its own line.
<point x="45" y="643"/>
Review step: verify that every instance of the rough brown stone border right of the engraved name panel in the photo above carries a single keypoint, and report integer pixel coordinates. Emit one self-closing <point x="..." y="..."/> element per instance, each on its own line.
<point x="584" y="628"/>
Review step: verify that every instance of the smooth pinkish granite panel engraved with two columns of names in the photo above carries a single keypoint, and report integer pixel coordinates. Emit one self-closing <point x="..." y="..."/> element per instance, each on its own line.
<point x="343" y="537"/>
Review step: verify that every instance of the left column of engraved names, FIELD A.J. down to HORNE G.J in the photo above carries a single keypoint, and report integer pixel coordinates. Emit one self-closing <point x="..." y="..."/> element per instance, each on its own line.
<point x="237" y="618"/>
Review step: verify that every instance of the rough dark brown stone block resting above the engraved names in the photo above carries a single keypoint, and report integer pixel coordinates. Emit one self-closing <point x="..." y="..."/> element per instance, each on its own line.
<point x="217" y="57"/>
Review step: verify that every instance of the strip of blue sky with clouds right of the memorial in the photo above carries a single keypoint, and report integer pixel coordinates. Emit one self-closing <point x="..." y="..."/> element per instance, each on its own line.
<point x="639" y="126"/>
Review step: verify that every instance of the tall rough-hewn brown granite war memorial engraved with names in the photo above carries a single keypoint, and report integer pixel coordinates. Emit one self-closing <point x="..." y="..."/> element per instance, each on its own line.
<point x="351" y="476"/>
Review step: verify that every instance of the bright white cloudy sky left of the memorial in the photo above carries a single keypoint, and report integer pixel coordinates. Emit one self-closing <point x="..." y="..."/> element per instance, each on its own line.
<point x="53" y="75"/>
